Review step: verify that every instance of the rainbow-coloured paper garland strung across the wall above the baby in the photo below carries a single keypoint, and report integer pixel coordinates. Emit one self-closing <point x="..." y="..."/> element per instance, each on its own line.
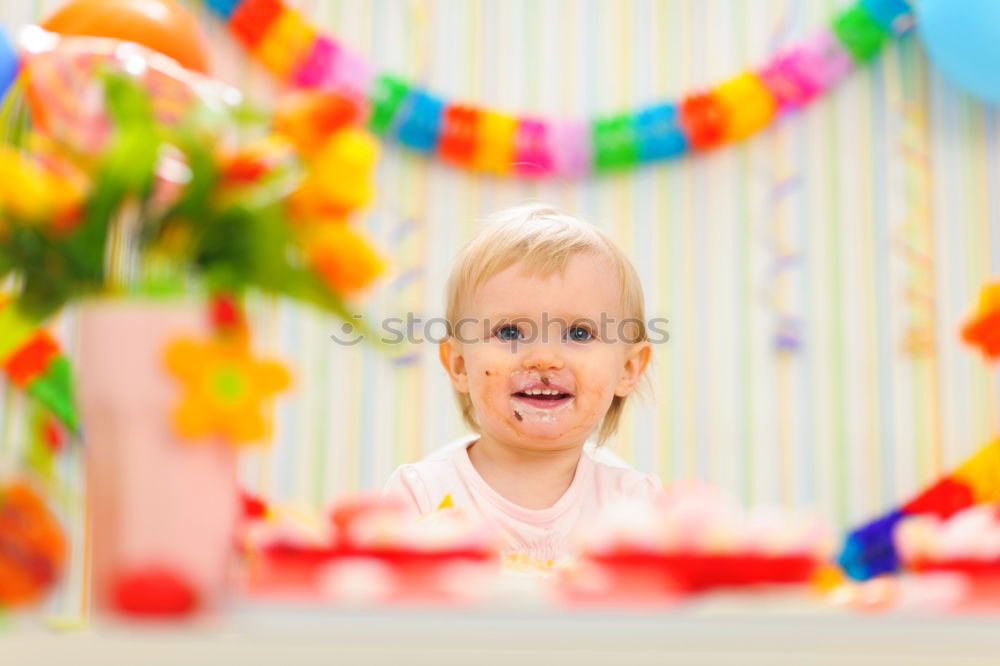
<point x="492" y="141"/>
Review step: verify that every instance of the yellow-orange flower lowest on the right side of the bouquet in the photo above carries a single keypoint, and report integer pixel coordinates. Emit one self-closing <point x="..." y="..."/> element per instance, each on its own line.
<point x="344" y="258"/>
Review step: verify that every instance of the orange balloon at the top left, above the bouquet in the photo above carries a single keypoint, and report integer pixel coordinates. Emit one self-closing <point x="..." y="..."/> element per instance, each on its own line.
<point x="162" y="25"/>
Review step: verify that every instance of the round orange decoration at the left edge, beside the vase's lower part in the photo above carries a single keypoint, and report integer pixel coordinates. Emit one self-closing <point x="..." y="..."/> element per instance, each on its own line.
<point x="32" y="546"/>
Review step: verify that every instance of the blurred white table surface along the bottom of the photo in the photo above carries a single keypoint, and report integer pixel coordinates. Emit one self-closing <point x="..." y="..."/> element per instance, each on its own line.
<point x="715" y="630"/>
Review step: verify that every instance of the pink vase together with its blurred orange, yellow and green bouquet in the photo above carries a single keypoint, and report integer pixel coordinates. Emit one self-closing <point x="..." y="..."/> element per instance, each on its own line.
<point x="125" y="189"/>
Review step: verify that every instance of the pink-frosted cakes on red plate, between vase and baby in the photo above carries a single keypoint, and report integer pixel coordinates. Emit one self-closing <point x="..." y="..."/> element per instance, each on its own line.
<point x="372" y="550"/>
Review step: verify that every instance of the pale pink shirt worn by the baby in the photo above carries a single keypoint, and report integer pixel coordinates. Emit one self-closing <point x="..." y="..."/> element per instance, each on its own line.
<point x="538" y="533"/>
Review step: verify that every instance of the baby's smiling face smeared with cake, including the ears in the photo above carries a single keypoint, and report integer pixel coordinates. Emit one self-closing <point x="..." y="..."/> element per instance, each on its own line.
<point x="542" y="358"/>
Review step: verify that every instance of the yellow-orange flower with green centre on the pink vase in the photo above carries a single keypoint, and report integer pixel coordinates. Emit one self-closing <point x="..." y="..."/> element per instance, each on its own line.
<point x="225" y="389"/>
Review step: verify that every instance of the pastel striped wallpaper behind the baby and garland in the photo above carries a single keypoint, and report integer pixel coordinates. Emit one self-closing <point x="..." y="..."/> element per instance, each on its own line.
<point x="862" y="227"/>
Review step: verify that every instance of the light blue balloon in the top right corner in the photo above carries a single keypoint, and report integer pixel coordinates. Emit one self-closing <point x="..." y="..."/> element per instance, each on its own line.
<point x="963" y="40"/>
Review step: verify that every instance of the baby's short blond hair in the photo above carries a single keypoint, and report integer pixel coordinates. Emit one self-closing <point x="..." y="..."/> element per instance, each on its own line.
<point x="544" y="238"/>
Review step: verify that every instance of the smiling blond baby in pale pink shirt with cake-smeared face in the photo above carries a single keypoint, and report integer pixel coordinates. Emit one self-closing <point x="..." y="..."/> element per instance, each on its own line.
<point x="547" y="339"/>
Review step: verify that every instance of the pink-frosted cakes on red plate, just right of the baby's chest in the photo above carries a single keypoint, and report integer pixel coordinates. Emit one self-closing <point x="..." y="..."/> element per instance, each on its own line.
<point x="692" y="538"/>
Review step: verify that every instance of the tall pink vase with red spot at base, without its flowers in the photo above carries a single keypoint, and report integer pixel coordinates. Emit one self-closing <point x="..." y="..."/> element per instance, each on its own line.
<point x="163" y="509"/>
